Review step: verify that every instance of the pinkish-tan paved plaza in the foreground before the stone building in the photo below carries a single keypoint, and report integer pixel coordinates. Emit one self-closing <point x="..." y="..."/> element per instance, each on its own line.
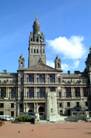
<point x="46" y="130"/>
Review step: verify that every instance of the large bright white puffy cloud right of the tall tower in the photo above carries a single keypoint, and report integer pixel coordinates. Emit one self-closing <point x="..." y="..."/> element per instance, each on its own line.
<point x="71" y="48"/>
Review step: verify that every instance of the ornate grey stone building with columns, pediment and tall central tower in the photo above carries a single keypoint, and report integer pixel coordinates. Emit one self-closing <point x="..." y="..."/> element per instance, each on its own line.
<point x="29" y="89"/>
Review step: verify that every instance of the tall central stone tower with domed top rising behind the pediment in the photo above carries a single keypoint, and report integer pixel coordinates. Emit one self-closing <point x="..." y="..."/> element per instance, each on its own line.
<point x="36" y="49"/>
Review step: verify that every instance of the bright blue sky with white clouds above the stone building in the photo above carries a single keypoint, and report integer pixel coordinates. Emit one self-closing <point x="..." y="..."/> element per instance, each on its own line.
<point x="65" y="23"/>
